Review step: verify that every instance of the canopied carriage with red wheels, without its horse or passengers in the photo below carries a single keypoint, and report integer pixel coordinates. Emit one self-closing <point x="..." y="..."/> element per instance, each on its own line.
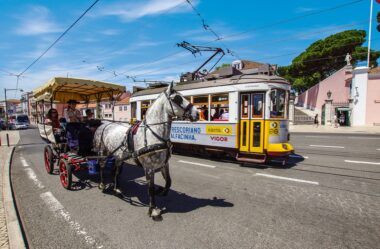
<point x="64" y="146"/>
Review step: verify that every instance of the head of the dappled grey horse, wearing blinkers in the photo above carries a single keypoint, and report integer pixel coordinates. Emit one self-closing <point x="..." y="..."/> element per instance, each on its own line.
<point x="179" y="106"/>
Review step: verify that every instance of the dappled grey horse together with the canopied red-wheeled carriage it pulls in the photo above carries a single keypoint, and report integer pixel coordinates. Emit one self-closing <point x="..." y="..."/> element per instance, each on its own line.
<point x="148" y="142"/>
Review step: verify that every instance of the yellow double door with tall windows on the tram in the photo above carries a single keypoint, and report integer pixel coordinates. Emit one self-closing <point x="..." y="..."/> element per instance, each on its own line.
<point x="252" y="122"/>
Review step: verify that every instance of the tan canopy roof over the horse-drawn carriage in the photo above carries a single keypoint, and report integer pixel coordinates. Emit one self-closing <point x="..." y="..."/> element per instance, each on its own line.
<point x="63" y="89"/>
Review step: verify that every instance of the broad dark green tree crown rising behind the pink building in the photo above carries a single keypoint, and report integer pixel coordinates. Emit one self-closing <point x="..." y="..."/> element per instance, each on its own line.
<point x="326" y="56"/>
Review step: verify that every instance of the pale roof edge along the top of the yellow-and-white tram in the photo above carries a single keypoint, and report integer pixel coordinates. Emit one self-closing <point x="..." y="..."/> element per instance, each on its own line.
<point x="238" y="79"/>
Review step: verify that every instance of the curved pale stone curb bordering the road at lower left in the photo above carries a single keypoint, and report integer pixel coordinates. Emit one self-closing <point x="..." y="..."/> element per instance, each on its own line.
<point x="15" y="236"/>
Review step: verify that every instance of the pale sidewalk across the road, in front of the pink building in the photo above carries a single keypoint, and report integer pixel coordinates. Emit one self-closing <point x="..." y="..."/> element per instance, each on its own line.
<point x="331" y="129"/>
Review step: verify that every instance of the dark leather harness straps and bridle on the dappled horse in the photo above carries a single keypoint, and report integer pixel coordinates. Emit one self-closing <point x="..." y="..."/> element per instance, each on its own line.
<point x="128" y="143"/>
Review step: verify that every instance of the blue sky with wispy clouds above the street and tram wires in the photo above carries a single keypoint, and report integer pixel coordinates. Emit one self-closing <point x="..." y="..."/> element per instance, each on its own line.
<point x="127" y="41"/>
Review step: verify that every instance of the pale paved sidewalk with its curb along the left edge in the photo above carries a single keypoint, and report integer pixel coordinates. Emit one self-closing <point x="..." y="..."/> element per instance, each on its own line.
<point x="10" y="232"/>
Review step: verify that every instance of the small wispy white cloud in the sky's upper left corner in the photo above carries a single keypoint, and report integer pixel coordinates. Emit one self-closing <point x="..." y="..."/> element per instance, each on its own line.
<point x="37" y="21"/>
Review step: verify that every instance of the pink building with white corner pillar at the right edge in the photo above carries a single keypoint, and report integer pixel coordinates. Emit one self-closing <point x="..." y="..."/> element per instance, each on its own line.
<point x="351" y="95"/>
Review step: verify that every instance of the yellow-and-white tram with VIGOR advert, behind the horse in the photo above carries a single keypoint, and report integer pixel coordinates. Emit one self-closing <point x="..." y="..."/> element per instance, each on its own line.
<point x="244" y="116"/>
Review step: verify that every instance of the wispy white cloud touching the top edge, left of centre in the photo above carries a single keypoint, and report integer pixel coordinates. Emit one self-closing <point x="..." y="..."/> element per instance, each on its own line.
<point x="132" y="11"/>
